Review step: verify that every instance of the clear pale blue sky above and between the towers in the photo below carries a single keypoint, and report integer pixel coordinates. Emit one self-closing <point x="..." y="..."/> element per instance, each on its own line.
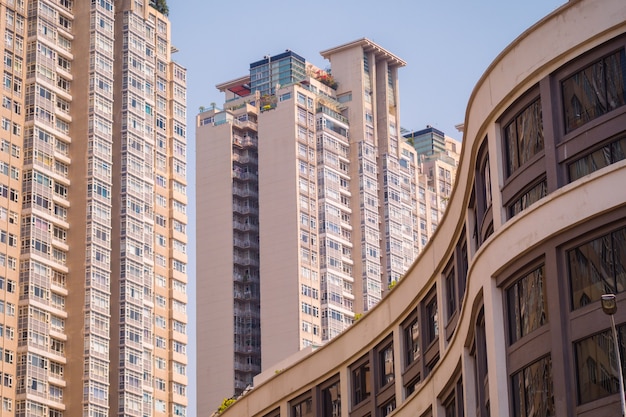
<point x="447" y="45"/>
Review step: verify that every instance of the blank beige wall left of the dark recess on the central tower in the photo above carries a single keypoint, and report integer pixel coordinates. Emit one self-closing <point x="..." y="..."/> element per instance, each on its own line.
<point x="214" y="298"/>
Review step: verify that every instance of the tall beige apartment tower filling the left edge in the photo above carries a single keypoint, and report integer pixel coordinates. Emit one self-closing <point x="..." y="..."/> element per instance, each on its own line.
<point x="92" y="215"/>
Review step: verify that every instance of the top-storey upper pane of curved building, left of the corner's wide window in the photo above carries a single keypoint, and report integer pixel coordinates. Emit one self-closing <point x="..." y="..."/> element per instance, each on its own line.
<point x="524" y="136"/>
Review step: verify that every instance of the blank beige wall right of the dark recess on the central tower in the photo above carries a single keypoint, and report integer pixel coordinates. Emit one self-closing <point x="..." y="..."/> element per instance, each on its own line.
<point x="279" y="235"/>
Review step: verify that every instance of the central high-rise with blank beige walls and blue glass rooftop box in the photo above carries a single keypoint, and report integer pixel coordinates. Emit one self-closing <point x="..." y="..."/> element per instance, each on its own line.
<point x="306" y="179"/>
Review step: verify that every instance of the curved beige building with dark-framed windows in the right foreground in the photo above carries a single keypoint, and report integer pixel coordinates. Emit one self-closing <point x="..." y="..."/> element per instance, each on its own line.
<point x="500" y="315"/>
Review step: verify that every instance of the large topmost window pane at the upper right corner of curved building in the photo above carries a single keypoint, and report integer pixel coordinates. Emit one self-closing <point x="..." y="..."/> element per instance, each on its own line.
<point x="595" y="90"/>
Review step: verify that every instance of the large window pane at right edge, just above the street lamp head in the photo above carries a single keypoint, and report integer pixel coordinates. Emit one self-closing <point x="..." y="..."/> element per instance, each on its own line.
<point x="598" y="267"/>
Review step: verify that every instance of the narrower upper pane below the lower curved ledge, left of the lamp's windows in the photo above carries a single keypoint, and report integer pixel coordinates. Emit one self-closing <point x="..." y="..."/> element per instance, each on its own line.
<point x="527" y="304"/>
